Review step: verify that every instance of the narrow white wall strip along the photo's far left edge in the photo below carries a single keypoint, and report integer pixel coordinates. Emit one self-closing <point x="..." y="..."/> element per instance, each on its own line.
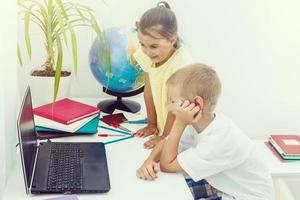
<point x="8" y="90"/>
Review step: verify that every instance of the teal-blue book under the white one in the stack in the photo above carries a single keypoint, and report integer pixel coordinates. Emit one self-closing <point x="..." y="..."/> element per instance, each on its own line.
<point x="91" y="128"/>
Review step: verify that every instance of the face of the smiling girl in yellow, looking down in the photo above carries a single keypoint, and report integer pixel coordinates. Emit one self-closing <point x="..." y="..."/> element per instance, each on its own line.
<point x="157" y="48"/>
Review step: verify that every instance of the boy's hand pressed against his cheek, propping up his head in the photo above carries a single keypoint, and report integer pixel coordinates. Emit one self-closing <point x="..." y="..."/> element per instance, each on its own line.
<point x="185" y="112"/>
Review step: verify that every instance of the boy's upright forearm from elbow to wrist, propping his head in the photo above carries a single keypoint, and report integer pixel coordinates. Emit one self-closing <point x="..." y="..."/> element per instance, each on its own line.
<point x="168" y="161"/>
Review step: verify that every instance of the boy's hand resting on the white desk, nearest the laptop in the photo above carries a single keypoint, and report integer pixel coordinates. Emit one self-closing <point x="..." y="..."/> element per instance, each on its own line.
<point x="148" y="171"/>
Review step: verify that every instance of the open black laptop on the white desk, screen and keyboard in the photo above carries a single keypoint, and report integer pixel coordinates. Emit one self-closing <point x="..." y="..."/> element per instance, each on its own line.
<point x="59" y="167"/>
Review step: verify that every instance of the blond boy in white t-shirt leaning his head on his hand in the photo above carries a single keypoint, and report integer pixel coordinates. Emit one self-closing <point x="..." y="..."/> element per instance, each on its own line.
<point x="219" y="159"/>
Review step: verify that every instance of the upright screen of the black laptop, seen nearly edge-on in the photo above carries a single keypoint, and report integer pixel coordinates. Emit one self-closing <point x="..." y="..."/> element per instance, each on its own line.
<point x="27" y="138"/>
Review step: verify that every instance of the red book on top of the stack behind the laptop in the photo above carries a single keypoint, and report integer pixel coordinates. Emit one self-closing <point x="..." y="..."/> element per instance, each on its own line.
<point x="65" y="111"/>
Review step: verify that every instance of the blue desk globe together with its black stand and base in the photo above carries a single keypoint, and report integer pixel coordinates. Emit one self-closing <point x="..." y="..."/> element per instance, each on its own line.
<point x="125" y="78"/>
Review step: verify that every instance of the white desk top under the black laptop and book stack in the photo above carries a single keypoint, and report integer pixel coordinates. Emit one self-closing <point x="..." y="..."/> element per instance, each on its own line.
<point x="123" y="159"/>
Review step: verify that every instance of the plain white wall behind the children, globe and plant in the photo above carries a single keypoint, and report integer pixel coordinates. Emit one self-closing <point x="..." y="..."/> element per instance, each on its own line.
<point x="253" y="45"/>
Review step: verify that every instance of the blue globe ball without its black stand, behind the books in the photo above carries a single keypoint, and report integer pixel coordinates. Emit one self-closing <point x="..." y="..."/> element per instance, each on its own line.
<point x="125" y="73"/>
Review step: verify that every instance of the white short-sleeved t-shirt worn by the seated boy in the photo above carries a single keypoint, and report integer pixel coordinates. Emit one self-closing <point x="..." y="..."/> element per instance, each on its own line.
<point x="226" y="158"/>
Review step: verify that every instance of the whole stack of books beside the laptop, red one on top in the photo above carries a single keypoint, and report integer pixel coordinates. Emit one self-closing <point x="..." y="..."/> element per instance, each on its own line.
<point x="65" y="117"/>
